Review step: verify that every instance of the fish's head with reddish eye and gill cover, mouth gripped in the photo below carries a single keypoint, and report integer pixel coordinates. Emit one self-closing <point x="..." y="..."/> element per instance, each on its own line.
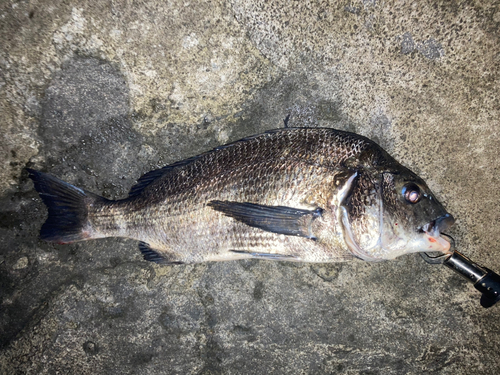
<point x="393" y="212"/>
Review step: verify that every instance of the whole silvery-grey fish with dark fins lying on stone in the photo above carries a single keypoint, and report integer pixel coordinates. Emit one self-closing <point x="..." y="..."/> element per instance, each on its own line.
<point x="291" y="194"/>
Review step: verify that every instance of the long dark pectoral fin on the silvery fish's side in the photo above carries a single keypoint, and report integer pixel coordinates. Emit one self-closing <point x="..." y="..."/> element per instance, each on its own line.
<point x="277" y="219"/>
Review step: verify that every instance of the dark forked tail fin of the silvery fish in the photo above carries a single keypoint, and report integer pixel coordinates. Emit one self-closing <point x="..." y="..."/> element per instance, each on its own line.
<point x="68" y="209"/>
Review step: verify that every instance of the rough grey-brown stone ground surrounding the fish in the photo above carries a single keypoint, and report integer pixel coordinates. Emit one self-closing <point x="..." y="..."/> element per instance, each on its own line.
<point x="99" y="92"/>
